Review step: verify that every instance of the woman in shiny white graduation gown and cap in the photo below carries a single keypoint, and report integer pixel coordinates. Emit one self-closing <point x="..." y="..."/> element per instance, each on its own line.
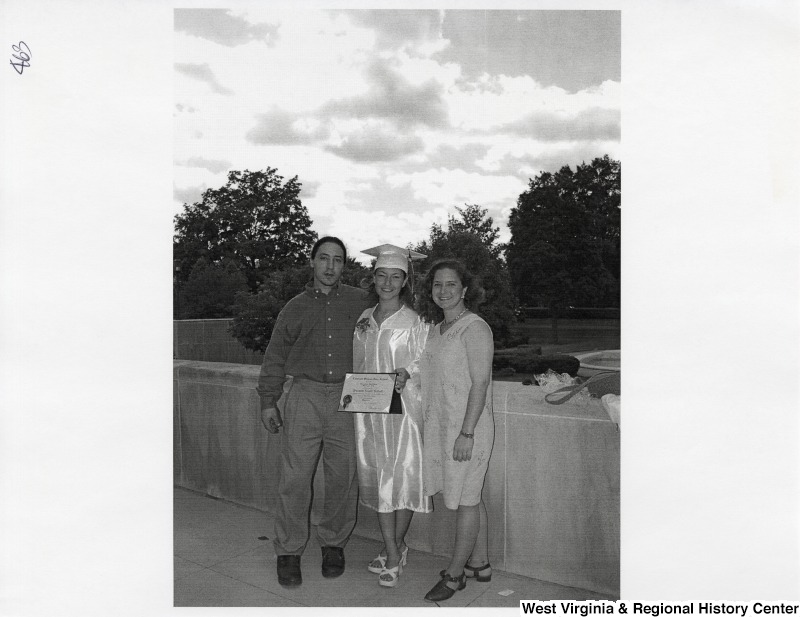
<point x="389" y="338"/>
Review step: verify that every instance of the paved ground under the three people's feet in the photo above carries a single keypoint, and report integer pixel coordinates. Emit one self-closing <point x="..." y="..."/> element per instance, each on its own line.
<point x="223" y="557"/>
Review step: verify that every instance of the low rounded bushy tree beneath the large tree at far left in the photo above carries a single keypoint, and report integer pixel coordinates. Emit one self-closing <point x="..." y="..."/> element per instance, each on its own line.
<point x="210" y="290"/>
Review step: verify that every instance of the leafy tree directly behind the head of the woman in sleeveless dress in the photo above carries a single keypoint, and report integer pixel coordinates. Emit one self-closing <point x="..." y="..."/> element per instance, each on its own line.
<point x="473" y="240"/>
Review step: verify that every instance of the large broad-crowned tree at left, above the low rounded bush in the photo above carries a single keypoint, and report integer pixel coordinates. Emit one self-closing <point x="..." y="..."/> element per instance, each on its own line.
<point x="256" y="220"/>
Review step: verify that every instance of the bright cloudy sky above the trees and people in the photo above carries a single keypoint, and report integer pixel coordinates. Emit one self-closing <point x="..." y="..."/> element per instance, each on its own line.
<point x="391" y="119"/>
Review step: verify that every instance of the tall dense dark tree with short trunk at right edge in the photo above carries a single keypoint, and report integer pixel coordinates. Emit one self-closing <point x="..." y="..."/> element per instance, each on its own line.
<point x="565" y="238"/>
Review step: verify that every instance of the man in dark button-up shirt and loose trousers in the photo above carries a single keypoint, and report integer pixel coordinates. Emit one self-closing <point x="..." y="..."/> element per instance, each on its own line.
<point x="313" y="341"/>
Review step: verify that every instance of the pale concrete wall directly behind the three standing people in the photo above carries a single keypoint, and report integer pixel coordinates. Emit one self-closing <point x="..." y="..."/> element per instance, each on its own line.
<point x="552" y="489"/>
